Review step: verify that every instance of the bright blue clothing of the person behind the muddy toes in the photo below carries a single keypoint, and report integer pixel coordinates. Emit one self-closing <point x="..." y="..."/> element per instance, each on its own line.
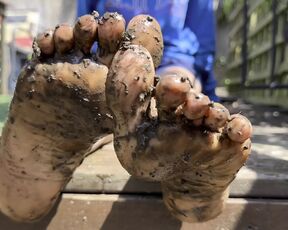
<point x="187" y="27"/>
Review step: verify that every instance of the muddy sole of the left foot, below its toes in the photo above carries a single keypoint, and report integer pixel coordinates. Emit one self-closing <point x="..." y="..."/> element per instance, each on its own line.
<point x="47" y="134"/>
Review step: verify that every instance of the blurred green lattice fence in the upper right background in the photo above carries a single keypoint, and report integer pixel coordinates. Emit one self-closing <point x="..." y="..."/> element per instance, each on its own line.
<point x="252" y="49"/>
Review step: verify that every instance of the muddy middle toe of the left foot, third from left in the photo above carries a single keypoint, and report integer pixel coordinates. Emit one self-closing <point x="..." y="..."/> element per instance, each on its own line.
<point x="85" y="32"/>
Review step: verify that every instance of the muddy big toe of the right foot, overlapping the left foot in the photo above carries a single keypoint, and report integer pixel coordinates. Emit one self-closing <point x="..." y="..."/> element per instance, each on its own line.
<point x="129" y="83"/>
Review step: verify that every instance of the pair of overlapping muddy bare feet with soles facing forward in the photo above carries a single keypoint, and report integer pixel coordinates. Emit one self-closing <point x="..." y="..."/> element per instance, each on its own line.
<point x="66" y="100"/>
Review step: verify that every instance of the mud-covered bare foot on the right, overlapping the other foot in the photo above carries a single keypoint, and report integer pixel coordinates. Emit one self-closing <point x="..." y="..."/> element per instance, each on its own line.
<point x="194" y="147"/>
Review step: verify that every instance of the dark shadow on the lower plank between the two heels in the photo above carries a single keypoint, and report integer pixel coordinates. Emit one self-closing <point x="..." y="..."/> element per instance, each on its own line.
<point x="140" y="212"/>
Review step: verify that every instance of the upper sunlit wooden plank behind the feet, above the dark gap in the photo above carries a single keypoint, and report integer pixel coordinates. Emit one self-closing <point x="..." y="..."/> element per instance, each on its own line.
<point x="265" y="175"/>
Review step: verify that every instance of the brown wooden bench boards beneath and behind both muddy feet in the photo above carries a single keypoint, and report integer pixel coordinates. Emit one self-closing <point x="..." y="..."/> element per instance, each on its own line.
<point x="102" y="195"/>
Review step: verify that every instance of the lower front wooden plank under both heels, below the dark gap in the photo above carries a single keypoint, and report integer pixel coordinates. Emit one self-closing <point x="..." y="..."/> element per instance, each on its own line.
<point x="109" y="212"/>
